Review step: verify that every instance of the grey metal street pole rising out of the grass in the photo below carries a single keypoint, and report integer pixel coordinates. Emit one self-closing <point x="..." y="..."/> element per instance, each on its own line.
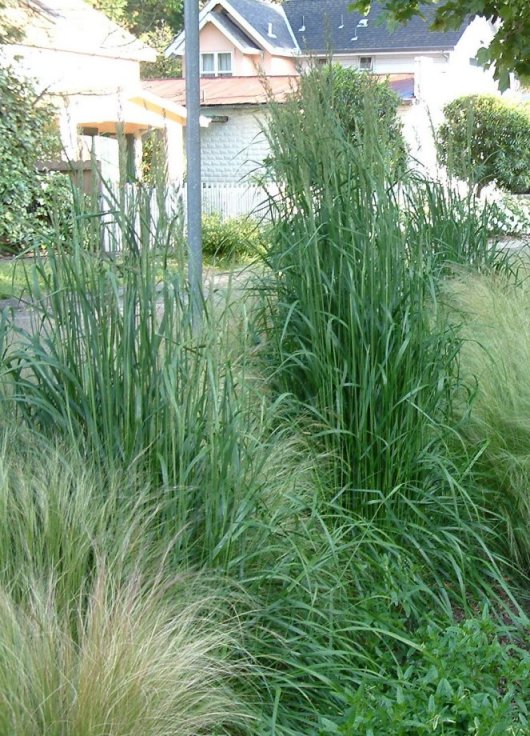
<point x="193" y="156"/>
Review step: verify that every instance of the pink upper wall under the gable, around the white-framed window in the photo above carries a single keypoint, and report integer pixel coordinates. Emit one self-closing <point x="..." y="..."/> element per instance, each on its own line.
<point x="211" y="39"/>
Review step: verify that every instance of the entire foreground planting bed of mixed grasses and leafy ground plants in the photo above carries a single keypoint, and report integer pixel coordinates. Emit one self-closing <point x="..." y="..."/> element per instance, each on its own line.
<point x="307" y="517"/>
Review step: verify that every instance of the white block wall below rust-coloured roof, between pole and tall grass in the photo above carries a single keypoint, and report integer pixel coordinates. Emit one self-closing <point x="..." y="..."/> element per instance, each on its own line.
<point x="232" y="151"/>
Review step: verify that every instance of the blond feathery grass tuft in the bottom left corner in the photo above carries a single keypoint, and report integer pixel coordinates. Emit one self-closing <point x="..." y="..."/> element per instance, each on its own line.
<point x="136" y="664"/>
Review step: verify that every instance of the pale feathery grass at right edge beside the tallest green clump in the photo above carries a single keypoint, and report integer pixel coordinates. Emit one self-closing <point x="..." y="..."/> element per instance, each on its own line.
<point x="493" y="310"/>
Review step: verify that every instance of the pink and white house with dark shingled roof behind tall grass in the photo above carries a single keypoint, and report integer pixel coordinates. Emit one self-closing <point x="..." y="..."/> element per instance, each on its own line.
<point x="243" y="40"/>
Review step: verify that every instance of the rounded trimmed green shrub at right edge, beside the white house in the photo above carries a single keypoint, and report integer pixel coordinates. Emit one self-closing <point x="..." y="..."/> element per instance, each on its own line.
<point x="485" y="139"/>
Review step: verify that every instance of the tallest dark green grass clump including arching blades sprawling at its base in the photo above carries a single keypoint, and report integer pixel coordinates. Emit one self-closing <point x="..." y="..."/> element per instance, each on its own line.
<point x="354" y="333"/>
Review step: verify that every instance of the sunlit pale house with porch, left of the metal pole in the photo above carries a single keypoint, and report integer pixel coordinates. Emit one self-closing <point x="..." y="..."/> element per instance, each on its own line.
<point x="90" y="69"/>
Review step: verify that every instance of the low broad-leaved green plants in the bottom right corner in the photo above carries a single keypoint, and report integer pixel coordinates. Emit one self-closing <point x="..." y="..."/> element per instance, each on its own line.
<point x="467" y="679"/>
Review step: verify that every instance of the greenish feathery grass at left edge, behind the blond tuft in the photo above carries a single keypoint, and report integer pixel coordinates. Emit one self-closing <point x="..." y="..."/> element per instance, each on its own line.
<point x="59" y="512"/>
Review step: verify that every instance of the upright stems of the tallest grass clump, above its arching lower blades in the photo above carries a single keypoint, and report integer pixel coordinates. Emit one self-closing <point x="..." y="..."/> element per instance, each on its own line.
<point x="355" y="329"/>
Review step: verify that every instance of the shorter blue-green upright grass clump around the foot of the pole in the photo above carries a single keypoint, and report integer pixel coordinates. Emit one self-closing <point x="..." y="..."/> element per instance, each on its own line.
<point x="112" y="362"/>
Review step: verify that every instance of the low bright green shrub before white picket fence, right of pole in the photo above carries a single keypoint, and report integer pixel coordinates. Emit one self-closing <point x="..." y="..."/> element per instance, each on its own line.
<point x="231" y="239"/>
